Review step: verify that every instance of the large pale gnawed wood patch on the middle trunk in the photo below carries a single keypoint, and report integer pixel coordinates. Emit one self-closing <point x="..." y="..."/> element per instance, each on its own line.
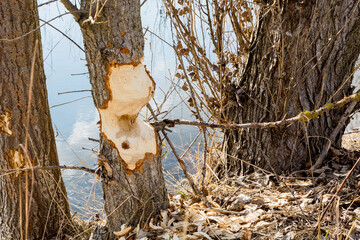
<point x="131" y="89"/>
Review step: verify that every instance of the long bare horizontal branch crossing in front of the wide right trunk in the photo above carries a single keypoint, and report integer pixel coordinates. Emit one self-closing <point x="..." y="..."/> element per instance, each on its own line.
<point x="304" y="116"/>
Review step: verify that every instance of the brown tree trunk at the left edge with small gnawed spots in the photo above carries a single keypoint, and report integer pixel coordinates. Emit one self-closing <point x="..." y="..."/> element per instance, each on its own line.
<point x="44" y="196"/>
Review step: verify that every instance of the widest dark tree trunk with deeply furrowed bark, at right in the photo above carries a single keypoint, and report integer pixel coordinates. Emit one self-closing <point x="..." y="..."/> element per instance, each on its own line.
<point x="301" y="57"/>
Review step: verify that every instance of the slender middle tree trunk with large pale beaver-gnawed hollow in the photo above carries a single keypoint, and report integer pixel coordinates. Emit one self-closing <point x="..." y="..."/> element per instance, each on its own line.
<point x="134" y="187"/>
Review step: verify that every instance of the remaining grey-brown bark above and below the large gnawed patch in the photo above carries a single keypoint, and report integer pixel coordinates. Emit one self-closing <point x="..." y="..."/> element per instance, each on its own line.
<point x="131" y="197"/>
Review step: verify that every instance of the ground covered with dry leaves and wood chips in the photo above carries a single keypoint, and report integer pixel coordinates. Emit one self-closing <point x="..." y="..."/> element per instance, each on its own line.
<point x="263" y="206"/>
